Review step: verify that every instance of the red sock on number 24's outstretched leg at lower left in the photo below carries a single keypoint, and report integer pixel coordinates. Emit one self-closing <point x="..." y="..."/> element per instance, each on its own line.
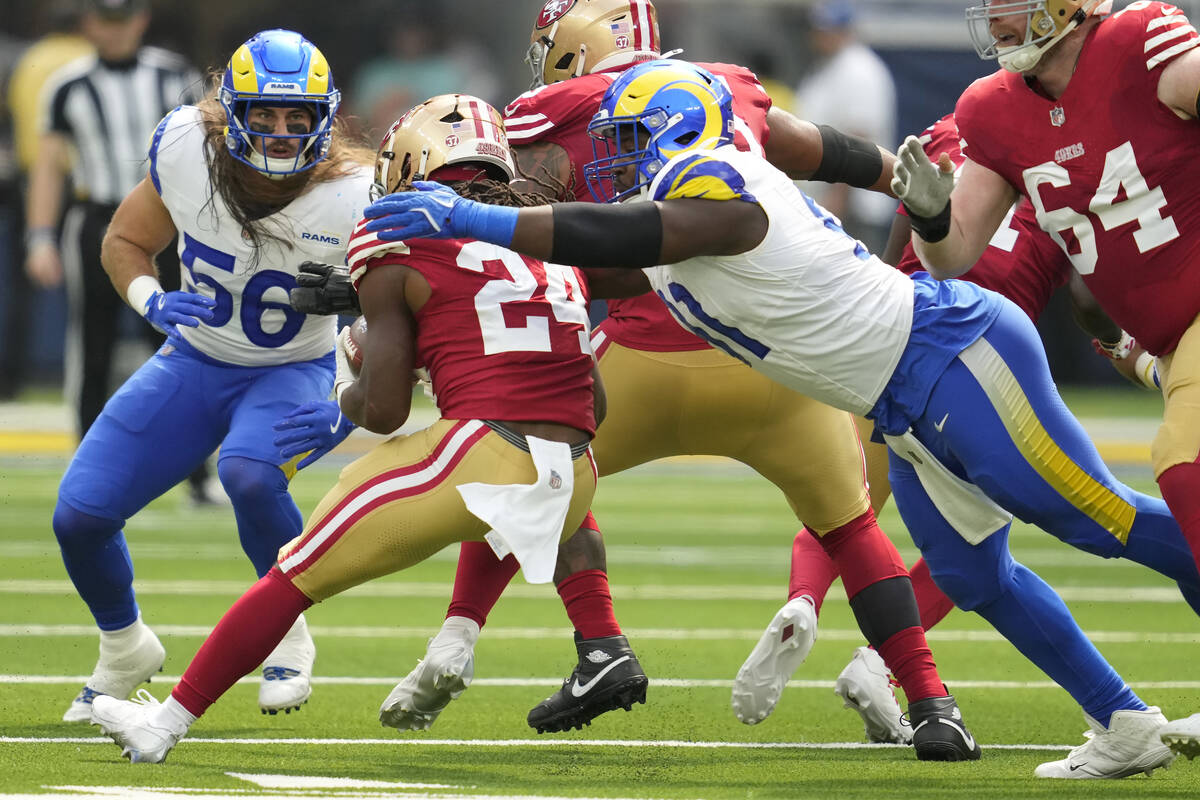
<point x="242" y="641"/>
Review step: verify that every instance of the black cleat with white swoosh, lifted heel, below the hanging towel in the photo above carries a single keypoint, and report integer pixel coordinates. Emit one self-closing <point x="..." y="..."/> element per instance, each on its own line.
<point x="607" y="678"/>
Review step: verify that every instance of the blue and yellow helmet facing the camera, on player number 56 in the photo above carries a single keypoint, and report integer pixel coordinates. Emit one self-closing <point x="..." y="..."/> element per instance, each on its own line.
<point x="279" y="69"/>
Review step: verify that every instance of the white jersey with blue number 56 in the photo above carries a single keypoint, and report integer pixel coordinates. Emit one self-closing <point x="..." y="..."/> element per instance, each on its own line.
<point x="254" y="326"/>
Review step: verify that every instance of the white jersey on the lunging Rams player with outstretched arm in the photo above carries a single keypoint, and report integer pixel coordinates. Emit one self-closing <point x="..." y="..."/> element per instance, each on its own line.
<point x="808" y="308"/>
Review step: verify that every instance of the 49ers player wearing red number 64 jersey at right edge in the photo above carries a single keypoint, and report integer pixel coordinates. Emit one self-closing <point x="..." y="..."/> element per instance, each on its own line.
<point x="1091" y="121"/>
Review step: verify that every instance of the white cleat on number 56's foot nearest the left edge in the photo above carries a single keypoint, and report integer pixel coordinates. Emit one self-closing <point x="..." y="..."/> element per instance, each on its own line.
<point x="128" y="658"/>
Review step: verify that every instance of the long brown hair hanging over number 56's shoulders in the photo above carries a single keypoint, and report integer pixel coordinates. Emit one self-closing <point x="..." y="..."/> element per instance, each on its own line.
<point x="250" y="196"/>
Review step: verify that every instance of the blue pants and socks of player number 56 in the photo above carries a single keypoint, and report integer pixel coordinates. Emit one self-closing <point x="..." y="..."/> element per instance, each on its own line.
<point x="167" y="419"/>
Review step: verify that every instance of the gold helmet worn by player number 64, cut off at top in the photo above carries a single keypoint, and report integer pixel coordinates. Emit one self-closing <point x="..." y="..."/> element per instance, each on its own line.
<point x="1046" y="23"/>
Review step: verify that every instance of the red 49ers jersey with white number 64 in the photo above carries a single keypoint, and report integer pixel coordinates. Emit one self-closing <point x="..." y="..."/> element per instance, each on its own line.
<point x="1112" y="172"/>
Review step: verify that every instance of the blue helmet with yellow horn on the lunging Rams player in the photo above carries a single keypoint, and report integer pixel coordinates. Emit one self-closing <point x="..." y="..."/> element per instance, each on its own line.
<point x="652" y="113"/>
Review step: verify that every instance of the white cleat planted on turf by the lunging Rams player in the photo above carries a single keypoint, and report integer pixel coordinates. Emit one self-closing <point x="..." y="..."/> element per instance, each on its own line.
<point x="1130" y="745"/>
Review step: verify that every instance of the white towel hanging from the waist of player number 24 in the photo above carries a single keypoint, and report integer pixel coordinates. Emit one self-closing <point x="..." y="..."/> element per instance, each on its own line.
<point x="527" y="520"/>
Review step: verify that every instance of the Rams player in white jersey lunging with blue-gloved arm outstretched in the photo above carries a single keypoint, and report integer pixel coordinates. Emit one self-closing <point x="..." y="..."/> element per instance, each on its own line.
<point x="953" y="376"/>
